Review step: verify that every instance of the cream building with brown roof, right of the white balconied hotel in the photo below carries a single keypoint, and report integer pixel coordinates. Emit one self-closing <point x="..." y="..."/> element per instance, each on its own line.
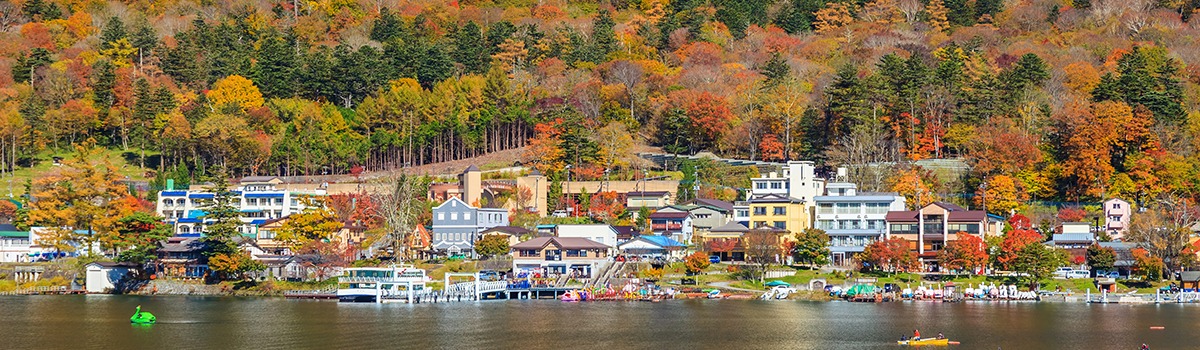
<point x="931" y="228"/>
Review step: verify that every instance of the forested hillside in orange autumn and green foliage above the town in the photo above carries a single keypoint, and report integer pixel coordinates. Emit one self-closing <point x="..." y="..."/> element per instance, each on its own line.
<point x="1052" y="100"/>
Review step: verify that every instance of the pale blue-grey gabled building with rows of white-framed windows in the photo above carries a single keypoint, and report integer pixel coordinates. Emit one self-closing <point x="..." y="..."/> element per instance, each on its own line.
<point x="457" y="226"/>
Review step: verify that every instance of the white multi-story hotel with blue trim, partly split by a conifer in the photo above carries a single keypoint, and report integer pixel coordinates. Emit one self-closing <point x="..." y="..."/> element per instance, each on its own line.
<point x="259" y="201"/>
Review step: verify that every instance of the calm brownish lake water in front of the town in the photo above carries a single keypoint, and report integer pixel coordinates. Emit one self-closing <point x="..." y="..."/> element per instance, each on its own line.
<point x="227" y="323"/>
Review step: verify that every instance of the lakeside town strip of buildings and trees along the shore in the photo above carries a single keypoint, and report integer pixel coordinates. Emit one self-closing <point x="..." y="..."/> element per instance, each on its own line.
<point x="799" y="232"/>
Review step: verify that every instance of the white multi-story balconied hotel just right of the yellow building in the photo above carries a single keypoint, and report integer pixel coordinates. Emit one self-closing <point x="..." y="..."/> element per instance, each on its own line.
<point x="854" y="220"/>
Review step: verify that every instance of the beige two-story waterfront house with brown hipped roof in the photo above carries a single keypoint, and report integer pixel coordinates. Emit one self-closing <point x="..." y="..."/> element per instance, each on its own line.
<point x="551" y="256"/>
